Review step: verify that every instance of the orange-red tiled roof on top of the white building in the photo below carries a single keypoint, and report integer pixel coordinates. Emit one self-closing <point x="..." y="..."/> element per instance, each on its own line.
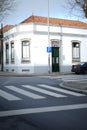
<point x="55" y="21"/>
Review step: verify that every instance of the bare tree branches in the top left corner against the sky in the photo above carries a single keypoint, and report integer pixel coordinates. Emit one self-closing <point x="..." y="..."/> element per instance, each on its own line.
<point x="5" y="7"/>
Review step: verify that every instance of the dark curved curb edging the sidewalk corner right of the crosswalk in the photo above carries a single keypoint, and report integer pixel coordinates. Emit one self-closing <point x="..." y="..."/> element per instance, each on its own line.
<point x="72" y="89"/>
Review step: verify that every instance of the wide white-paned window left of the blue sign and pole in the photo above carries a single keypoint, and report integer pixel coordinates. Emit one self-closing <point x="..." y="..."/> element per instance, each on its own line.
<point x="25" y="51"/>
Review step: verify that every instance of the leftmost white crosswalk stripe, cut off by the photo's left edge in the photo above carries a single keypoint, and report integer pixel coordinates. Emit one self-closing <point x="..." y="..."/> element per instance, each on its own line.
<point x="8" y="96"/>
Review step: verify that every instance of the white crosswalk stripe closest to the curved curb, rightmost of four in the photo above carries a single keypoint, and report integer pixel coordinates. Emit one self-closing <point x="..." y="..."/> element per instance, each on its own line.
<point x="61" y="90"/>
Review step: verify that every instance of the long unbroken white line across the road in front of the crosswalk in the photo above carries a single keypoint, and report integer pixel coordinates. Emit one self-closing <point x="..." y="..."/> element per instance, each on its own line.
<point x="42" y="110"/>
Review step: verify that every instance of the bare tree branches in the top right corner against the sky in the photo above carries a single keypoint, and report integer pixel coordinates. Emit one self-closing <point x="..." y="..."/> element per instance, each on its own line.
<point x="79" y="5"/>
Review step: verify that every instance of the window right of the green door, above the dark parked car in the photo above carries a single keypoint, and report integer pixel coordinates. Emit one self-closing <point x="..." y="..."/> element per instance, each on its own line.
<point x="76" y="51"/>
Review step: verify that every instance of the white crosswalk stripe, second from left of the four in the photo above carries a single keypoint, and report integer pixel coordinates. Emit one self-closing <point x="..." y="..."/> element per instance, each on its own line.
<point x="23" y="92"/>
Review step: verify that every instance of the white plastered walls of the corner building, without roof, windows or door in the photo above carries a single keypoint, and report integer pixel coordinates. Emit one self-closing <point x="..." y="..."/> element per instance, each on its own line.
<point x="38" y="36"/>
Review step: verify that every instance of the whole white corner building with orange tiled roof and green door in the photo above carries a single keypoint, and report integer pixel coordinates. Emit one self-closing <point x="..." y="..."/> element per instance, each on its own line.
<point x="27" y="45"/>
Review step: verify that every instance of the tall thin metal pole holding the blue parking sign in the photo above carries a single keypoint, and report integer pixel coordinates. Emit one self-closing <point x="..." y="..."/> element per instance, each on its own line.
<point x="48" y="40"/>
